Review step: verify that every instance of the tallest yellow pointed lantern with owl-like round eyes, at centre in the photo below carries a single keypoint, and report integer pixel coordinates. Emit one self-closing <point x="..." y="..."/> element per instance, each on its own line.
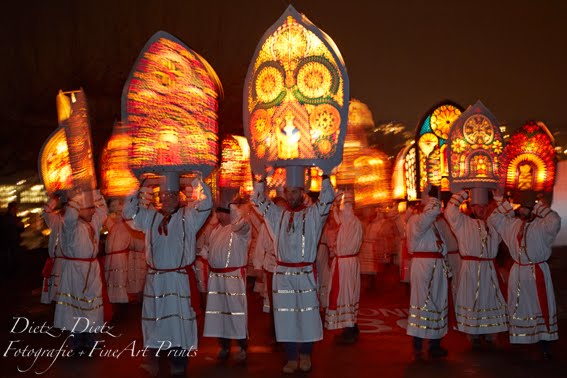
<point x="296" y="99"/>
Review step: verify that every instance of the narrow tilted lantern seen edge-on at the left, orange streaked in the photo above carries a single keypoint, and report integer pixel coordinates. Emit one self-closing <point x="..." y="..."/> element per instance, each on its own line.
<point x="73" y="118"/>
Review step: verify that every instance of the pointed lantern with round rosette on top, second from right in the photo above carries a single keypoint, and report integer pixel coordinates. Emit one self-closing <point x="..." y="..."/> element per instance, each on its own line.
<point x="475" y="144"/>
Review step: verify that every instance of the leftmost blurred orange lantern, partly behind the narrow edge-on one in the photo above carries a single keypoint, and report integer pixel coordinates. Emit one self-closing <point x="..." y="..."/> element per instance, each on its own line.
<point x="54" y="165"/>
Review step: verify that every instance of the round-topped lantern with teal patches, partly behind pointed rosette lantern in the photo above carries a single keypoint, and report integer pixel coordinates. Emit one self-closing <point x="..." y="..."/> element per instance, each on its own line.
<point x="432" y="133"/>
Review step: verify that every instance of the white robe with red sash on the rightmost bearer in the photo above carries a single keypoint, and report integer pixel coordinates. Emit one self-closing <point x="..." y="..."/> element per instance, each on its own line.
<point x="527" y="323"/>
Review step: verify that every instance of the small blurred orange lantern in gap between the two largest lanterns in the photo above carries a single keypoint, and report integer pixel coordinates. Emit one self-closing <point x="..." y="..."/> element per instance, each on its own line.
<point x="235" y="165"/>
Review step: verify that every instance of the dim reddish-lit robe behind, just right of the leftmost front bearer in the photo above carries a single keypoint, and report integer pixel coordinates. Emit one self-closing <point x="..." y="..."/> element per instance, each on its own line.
<point x="118" y="243"/>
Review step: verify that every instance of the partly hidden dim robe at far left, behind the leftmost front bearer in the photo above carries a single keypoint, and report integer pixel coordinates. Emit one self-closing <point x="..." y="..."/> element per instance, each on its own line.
<point x="53" y="220"/>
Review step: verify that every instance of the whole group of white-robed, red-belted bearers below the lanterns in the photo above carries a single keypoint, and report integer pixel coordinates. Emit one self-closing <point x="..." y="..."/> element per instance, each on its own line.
<point x="188" y="259"/>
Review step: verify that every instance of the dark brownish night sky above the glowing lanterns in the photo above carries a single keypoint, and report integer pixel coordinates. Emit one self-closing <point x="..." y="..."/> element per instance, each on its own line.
<point x="402" y="57"/>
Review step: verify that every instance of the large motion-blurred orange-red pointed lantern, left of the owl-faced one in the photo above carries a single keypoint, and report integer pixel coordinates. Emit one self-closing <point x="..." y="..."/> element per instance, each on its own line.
<point x="169" y="105"/>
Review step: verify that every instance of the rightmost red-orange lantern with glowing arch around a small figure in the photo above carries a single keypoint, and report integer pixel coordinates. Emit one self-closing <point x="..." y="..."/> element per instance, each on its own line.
<point x="529" y="161"/>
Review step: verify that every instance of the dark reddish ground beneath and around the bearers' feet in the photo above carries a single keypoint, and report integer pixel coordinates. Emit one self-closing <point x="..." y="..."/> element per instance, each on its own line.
<point x="383" y="348"/>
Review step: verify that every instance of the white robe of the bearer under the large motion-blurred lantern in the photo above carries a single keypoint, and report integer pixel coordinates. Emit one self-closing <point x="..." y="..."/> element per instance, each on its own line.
<point x="167" y="314"/>
